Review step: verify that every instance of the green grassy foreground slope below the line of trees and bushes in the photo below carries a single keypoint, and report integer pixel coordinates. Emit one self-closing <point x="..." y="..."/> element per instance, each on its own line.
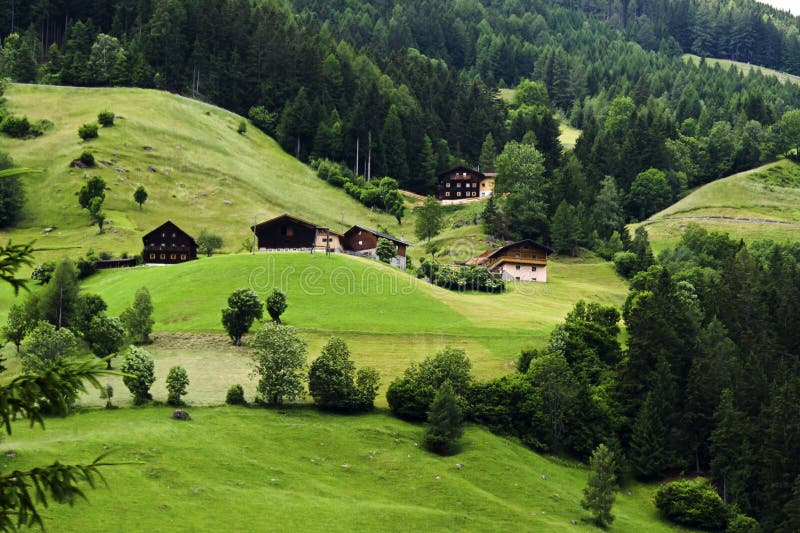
<point x="299" y="470"/>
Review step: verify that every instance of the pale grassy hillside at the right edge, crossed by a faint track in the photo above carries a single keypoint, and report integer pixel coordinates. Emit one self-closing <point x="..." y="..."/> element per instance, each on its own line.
<point x="763" y="203"/>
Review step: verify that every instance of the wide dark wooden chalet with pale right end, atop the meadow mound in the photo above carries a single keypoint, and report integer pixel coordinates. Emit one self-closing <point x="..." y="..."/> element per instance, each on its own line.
<point x="291" y="233"/>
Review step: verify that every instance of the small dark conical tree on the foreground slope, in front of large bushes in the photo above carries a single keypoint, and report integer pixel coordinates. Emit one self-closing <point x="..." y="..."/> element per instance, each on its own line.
<point x="445" y="422"/>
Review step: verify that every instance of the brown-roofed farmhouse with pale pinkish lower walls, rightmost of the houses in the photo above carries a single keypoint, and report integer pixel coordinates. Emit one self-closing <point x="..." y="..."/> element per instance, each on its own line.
<point x="519" y="261"/>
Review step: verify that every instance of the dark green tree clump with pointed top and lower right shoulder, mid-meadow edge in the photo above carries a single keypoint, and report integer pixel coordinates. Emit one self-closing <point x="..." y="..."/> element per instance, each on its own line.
<point x="333" y="384"/>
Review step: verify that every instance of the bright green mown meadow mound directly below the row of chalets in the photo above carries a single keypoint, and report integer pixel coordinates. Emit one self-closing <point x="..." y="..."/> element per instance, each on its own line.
<point x="388" y="317"/>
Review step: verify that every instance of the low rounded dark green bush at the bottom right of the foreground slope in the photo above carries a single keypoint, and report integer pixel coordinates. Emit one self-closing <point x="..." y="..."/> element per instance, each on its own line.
<point x="692" y="503"/>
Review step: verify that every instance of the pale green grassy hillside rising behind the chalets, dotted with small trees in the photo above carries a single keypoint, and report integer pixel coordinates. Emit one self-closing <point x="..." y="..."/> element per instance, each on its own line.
<point x="198" y="171"/>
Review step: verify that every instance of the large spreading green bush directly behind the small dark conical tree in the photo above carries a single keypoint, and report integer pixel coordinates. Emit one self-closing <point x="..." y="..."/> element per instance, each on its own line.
<point x="410" y="396"/>
